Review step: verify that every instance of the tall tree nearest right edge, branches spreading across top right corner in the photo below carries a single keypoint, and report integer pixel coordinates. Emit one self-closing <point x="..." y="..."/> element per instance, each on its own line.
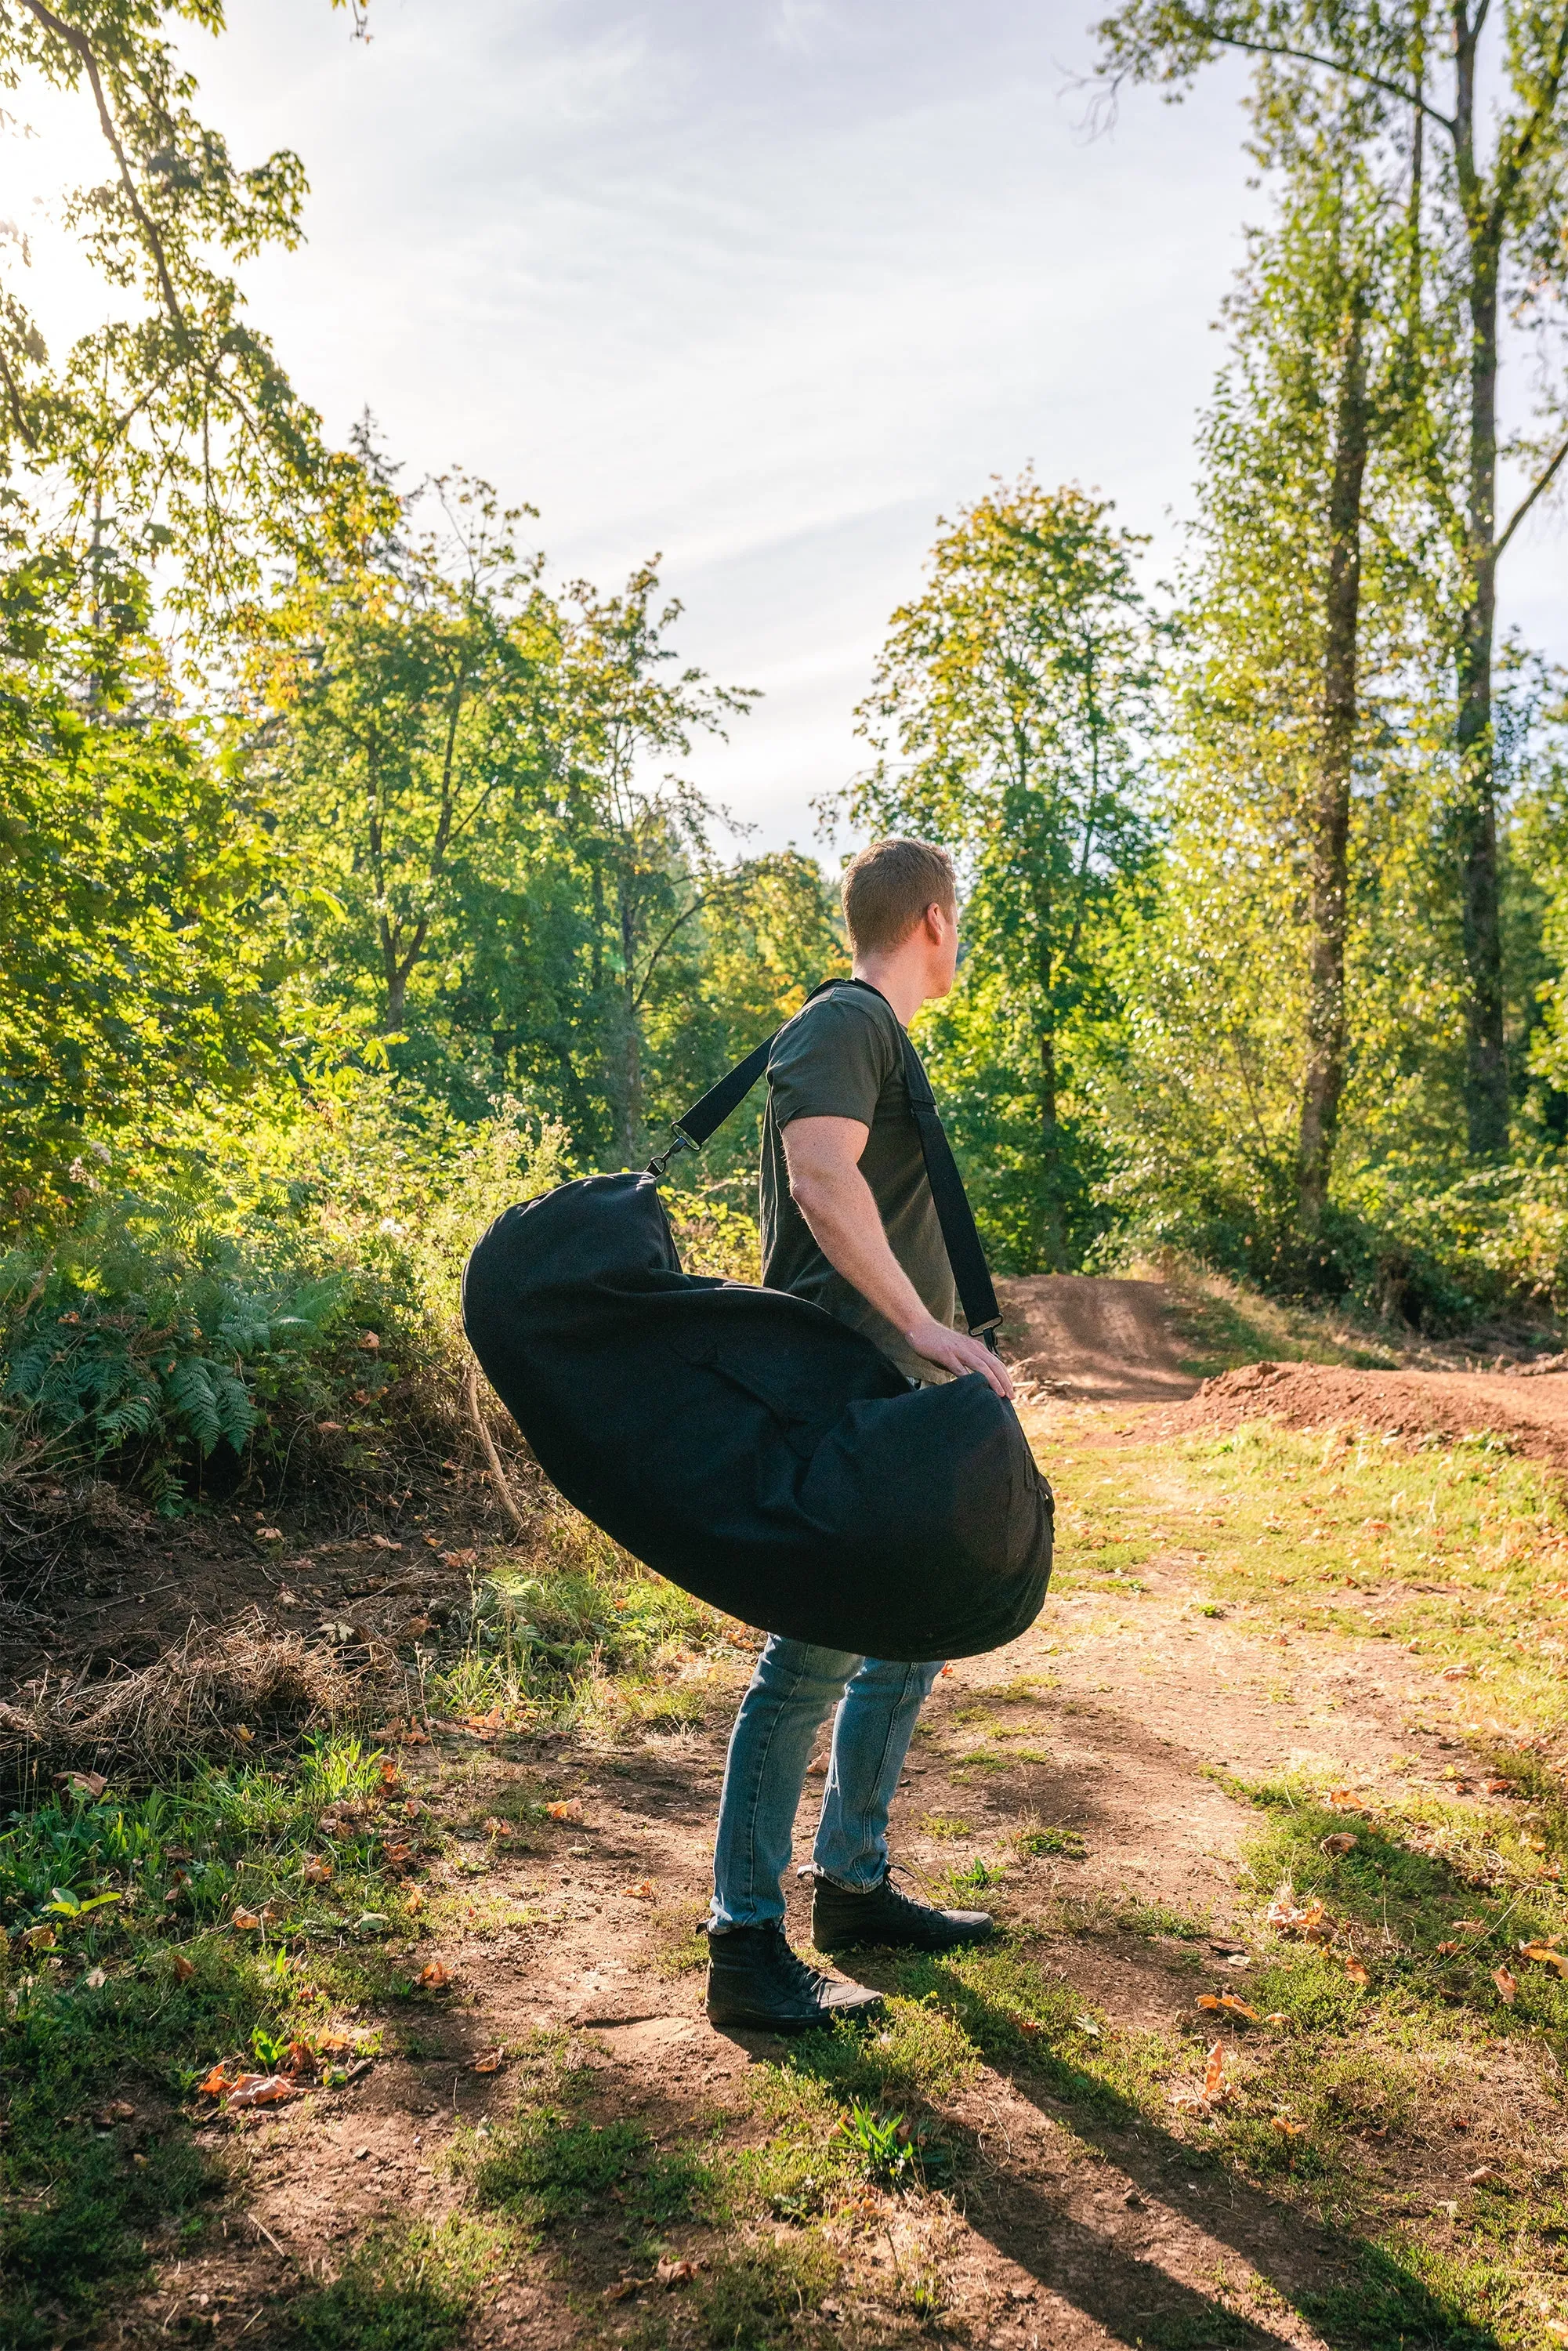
<point x="1496" y="232"/>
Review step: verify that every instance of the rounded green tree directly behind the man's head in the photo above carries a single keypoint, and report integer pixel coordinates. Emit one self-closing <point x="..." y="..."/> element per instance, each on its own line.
<point x="1007" y="714"/>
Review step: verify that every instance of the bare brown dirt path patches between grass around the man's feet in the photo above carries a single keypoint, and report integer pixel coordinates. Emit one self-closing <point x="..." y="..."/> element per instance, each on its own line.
<point x="1108" y="1724"/>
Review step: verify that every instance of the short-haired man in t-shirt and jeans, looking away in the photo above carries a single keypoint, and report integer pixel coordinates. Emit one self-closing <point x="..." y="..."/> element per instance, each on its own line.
<point x="847" y="1221"/>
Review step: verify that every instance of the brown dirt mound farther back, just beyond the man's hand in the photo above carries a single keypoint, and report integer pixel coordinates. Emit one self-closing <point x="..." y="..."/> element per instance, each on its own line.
<point x="1094" y="1339"/>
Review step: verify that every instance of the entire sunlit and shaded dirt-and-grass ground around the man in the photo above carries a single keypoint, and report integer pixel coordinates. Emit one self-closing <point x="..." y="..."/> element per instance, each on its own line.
<point x="1268" y="2051"/>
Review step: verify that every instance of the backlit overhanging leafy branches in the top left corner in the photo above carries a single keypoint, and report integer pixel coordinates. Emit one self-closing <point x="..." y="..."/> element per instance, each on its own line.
<point x="170" y="427"/>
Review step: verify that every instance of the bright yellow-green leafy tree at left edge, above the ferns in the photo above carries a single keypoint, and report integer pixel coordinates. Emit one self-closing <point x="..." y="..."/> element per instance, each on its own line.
<point x="133" y="883"/>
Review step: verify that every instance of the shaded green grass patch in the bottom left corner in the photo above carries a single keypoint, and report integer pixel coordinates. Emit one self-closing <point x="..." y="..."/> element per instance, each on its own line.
<point x="126" y="1983"/>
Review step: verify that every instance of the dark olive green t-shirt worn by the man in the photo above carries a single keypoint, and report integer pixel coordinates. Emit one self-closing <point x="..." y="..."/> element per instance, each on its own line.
<point x="843" y="1059"/>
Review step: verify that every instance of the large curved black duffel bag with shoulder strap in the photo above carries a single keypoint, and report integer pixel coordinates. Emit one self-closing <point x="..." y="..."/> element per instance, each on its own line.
<point x="749" y="1445"/>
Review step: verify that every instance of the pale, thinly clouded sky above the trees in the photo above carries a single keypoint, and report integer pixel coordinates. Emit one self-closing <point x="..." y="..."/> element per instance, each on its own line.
<point x="760" y="288"/>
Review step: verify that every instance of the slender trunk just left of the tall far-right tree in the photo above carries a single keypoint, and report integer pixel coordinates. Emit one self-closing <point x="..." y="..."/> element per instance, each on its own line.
<point x="1329" y="808"/>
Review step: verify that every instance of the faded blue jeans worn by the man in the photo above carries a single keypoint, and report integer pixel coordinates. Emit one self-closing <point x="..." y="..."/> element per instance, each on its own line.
<point x="793" y="1694"/>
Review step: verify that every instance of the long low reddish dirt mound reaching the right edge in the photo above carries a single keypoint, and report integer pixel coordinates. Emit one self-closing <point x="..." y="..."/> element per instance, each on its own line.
<point x="1532" y="1414"/>
